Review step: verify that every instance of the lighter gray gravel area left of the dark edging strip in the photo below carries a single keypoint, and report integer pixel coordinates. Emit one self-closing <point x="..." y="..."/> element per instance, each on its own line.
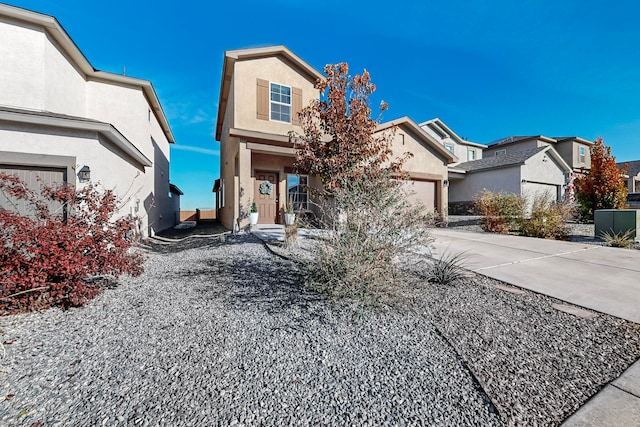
<point x="221" y="334"/>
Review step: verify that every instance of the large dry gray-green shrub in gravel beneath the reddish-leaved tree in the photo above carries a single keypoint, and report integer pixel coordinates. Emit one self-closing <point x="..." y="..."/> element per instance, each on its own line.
<point x="369" y="228"/>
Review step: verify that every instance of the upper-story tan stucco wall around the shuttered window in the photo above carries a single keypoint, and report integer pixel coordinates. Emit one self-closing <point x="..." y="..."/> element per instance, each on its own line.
<point x="273" y="69"/>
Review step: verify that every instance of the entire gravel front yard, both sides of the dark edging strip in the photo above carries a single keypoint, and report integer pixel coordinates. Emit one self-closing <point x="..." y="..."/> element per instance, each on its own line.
<point x="221" y="333"/>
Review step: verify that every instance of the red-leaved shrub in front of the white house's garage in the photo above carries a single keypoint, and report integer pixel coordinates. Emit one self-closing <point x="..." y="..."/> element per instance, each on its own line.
<point x="60" y="258"/>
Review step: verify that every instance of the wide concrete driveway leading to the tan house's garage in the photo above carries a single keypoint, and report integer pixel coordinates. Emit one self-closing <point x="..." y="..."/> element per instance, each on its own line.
<point x="595" y="277"/>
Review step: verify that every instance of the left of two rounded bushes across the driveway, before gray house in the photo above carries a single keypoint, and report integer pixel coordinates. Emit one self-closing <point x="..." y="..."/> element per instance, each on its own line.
<point x="501" y="212"/>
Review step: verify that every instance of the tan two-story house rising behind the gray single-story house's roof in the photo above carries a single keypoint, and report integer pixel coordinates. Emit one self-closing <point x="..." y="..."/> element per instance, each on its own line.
<point x="575" y="151"/>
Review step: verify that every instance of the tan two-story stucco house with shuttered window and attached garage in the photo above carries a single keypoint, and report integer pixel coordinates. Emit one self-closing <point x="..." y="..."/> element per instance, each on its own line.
<point x="261" y="92"/>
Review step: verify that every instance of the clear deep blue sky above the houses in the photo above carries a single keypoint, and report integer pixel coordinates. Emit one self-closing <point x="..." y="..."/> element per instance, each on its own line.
<point x="488" y="69"/>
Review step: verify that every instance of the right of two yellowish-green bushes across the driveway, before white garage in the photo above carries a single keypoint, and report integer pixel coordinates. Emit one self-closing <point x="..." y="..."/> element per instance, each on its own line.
<point x="547" y="219"/>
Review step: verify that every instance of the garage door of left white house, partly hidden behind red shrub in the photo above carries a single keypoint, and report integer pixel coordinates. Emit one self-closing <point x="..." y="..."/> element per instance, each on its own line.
<point x="30" y="175"/>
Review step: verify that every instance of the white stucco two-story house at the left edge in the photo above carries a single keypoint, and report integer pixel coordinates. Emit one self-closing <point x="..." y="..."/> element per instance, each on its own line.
<point x="64" y="121"/>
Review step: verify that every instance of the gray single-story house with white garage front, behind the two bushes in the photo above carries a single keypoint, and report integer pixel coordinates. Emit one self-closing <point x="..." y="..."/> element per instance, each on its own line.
<point x="526" y="172"/>
